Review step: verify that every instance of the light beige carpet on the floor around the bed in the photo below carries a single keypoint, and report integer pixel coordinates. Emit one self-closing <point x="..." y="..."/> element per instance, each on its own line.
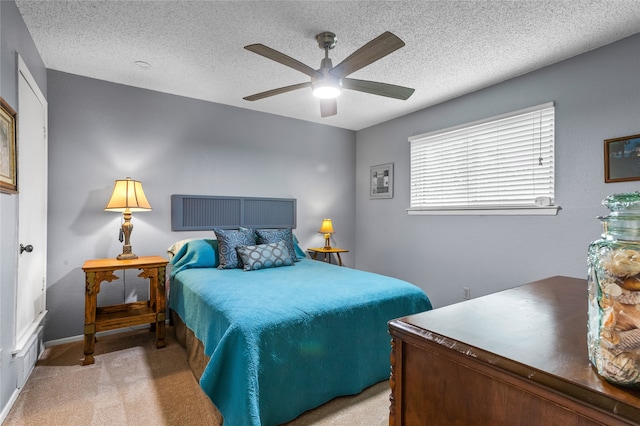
<point x="133" y="383"/>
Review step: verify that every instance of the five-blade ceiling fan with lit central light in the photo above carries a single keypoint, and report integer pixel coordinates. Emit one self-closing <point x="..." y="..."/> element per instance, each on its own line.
<point x="328" y="81"/>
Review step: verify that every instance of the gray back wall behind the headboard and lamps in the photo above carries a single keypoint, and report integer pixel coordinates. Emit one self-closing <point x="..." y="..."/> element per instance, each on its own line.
<point x="100" y="131"/>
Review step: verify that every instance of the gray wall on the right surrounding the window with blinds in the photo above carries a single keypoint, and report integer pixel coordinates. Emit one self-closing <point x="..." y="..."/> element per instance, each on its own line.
<point x="597" y="97"/>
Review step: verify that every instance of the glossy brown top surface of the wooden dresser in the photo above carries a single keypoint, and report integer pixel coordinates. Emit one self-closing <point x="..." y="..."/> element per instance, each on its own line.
<point x="537" y="331"/>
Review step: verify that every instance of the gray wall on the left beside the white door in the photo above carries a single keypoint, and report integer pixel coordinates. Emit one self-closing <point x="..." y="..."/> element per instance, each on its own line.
<point x="14" y="40"/>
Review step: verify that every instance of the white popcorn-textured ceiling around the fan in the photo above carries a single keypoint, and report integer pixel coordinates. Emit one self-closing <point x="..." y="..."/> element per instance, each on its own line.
<point x="195" y="48"/>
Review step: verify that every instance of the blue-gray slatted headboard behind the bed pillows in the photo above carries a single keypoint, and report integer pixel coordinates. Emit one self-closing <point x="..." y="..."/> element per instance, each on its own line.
<point x="204" y="212"/>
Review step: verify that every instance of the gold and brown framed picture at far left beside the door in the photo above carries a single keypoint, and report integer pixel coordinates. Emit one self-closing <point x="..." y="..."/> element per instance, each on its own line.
<point x="8" y="165"/>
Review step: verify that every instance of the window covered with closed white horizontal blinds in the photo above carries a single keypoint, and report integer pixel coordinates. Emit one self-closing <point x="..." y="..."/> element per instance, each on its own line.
<point x="503" y="164"/>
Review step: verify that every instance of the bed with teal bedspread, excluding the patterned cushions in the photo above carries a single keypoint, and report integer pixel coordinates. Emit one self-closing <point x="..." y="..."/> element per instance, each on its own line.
<point x="278" y="341"/>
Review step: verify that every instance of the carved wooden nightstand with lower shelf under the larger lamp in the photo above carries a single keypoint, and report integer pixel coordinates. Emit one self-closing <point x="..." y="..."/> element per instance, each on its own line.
<point x="104" y="318"/>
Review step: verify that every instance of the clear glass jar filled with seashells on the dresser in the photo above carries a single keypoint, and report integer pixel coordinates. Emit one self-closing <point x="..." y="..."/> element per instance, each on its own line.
<point x="613" y="334"/>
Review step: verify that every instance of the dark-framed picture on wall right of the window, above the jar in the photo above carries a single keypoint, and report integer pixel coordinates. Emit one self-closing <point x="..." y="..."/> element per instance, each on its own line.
<point x="622" y="159"/>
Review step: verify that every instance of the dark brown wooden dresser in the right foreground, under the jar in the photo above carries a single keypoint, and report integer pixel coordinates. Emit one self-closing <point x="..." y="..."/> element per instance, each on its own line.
<point x="517" y="357"/>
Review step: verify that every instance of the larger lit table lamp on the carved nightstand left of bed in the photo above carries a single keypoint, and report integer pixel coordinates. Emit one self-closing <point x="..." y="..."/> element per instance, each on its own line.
<point x="127" y="197"/>
